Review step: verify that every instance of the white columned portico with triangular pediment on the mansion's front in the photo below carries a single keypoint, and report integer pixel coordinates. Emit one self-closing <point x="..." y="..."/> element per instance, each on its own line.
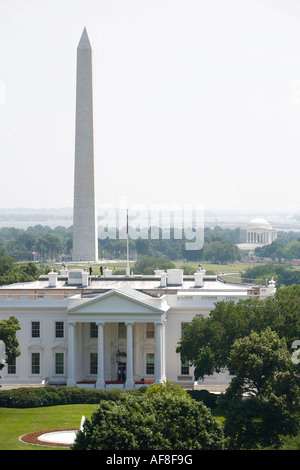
<point x="121" y="321"/>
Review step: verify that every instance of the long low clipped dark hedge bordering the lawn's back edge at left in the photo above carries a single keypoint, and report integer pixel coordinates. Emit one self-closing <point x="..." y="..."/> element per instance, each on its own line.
<point x="33" y="397"/>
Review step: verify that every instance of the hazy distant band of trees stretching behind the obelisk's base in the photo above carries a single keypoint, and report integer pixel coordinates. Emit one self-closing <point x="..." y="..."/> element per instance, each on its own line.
<point x="43" y="243"/>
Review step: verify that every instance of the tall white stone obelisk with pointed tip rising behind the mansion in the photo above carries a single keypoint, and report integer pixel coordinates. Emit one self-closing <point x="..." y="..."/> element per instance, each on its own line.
<point x="85" y="230"/>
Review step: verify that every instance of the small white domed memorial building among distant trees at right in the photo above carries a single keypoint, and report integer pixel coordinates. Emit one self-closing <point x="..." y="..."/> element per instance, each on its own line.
<point x="257" y="233"/>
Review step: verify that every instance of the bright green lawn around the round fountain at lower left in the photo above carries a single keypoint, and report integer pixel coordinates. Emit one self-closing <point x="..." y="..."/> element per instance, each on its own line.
<point x="15" y="422"/>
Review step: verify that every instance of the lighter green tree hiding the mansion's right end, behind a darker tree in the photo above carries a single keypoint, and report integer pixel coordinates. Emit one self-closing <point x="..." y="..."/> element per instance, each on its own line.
<point x="207" y="340"/>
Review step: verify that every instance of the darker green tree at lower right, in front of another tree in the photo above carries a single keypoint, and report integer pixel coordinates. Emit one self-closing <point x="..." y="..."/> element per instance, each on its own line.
<point x="262" y="400"/>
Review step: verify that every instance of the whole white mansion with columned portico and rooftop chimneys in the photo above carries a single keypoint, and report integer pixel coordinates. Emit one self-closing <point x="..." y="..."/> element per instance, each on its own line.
<point x="110" y="331"/>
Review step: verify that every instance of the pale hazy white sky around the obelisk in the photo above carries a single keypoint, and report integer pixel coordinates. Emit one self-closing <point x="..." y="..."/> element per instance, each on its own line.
<point x="195" y="101"/>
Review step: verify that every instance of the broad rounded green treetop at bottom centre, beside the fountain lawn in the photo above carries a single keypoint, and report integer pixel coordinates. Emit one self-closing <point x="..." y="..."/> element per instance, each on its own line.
<point x="159" y="420"/>
